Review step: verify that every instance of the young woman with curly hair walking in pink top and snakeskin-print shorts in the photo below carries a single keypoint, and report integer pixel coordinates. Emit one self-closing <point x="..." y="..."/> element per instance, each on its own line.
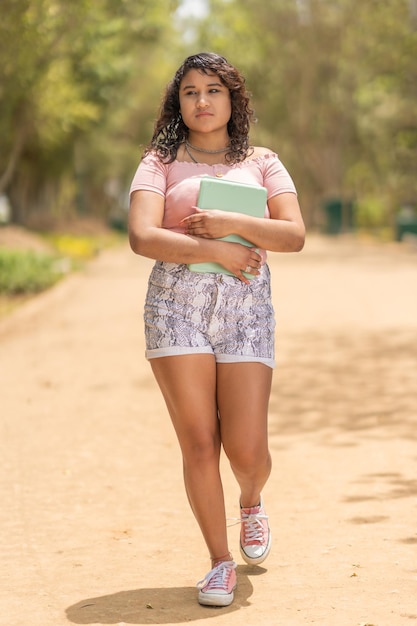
<point x="210" y="336"/>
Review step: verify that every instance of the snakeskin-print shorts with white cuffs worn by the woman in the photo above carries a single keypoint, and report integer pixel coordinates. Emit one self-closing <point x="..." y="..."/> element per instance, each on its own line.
<point x="199" y="313"/>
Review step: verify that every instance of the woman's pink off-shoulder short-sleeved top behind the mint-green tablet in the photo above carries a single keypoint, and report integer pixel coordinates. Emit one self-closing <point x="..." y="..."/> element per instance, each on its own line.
<point x="179" y="182"/>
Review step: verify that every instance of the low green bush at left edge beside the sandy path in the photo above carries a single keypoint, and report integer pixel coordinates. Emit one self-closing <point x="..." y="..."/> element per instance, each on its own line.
<point x="29" y="272"/>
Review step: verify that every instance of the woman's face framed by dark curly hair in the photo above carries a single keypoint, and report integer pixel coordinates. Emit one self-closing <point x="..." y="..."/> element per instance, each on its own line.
<point x="205" y="102"/>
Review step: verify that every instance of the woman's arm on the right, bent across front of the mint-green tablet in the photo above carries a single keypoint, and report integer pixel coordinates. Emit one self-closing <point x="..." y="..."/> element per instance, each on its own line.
<point x="284" y="232"/>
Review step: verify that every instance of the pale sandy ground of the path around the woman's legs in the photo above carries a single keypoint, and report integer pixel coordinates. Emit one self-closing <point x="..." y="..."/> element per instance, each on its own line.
<point x="95" y="527"/>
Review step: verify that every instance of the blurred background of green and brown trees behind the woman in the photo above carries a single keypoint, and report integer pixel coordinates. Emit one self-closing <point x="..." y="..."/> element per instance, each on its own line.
<point x="334" y="88"/>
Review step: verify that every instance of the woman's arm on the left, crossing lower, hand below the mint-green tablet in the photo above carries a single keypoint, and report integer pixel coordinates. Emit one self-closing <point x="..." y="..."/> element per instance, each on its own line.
<point x="149" y="239"/>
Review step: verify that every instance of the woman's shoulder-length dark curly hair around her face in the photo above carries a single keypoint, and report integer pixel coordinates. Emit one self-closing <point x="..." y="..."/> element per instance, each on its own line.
<point x="170" y="130"/>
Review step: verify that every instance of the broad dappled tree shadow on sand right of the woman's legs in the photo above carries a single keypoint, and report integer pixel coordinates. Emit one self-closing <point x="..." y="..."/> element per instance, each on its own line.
<point x="351" y="383"/>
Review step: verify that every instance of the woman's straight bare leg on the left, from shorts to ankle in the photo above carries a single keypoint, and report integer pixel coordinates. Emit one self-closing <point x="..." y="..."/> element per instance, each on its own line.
<point x="188" y="384"/>
